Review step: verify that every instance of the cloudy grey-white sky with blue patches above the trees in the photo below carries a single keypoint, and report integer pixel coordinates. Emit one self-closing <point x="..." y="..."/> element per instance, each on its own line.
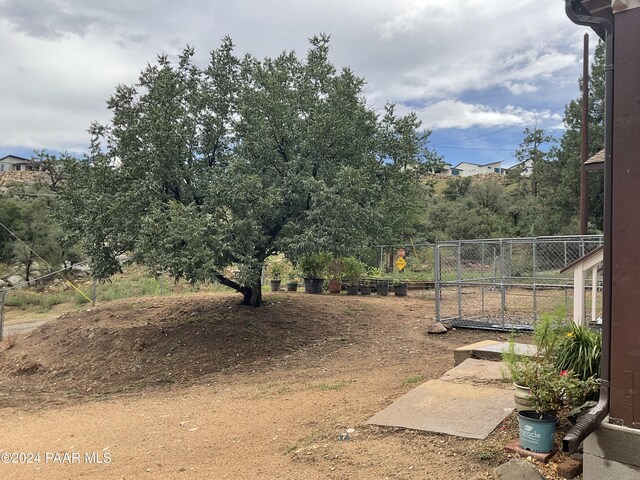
<point x="476" y="72"/>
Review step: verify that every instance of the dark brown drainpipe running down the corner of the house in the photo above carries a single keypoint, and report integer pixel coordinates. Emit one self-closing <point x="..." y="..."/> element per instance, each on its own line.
<point x="588" y="422"/>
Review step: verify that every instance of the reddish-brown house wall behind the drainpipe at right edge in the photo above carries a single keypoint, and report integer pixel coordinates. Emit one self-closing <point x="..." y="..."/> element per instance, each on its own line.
<point x="625" y="228"/>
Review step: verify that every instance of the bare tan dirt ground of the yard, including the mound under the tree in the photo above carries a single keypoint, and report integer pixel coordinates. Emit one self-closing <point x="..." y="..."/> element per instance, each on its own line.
<point x="200" y="387"/>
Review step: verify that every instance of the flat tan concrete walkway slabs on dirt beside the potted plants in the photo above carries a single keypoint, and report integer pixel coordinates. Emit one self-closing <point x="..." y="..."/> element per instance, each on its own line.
<point x="468" y="401"/>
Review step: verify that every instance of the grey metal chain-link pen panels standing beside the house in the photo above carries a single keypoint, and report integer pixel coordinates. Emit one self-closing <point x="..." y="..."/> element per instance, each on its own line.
<point x="507" y="283"/>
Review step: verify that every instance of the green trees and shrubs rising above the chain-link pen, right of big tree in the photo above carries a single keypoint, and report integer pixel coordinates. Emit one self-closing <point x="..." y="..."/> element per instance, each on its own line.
<point x="543" y="203"/>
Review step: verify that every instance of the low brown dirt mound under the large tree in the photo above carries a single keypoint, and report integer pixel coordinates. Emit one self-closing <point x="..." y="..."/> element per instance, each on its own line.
<point x="136" y="344"/>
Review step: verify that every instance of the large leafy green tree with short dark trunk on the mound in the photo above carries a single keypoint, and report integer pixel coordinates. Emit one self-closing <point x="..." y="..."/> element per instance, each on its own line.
<point x="203" y="168"/>
